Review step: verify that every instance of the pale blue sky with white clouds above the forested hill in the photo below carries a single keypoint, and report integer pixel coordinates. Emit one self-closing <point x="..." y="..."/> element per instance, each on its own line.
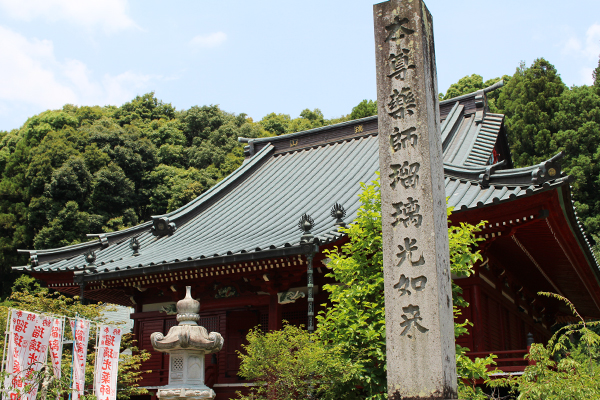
<point x="262" y="56"/>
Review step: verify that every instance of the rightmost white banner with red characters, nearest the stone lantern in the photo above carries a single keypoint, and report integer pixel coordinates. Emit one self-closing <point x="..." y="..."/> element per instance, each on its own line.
<point x="107" y="363"/>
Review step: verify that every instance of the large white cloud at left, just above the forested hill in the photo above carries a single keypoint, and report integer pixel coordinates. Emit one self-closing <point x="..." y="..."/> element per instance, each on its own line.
<point x="30" y="75"/>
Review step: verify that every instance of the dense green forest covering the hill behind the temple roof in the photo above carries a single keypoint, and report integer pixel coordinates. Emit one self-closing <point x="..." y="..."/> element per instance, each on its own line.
<point x="92" y="169"/>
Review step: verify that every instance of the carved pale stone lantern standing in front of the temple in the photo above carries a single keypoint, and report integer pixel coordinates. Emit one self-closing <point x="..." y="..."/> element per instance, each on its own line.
<point x="187" y="344"/>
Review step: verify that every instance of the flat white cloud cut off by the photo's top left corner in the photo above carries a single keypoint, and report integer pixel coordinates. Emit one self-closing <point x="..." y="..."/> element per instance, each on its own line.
<point x="111" y="15"/>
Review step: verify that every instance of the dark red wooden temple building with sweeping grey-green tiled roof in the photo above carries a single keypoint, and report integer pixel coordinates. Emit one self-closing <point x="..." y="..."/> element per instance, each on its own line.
<point x="238" y="244"/>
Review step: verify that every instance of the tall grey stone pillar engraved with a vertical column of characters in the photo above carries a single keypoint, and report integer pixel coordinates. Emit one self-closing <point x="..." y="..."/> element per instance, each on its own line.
<point x="418" y="297"/>
